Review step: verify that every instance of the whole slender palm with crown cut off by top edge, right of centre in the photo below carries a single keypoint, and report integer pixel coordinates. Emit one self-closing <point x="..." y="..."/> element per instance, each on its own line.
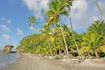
<point x="69" y="4"/>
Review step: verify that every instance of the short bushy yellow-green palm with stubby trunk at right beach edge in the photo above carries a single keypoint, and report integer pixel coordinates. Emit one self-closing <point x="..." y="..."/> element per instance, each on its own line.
<point x="93" y="42"/>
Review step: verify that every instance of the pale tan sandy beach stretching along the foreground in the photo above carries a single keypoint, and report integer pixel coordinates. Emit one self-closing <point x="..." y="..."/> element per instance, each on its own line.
<point x="33" y="62"/>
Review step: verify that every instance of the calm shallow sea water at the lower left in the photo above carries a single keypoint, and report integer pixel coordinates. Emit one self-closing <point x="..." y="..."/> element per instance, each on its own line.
<point x="7" y="59"/>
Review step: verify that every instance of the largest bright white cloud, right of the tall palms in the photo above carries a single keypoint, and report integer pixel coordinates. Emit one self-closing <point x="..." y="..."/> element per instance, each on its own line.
<point x="79" y="15"/>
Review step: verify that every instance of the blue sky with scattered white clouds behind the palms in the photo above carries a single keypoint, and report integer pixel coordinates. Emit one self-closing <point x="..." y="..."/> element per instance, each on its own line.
<point x="14" y="16"/>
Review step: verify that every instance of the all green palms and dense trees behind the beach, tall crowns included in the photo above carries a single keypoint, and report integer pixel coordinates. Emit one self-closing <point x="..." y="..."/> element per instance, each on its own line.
<point x="56" y="38"/>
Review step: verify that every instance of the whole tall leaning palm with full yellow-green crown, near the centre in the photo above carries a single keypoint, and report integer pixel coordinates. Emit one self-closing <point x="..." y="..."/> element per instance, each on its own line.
<point x="56" y="8"/>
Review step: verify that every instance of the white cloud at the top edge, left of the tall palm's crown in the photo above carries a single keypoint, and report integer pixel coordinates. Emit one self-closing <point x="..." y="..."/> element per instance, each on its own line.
<point x="36" y="6"/>
